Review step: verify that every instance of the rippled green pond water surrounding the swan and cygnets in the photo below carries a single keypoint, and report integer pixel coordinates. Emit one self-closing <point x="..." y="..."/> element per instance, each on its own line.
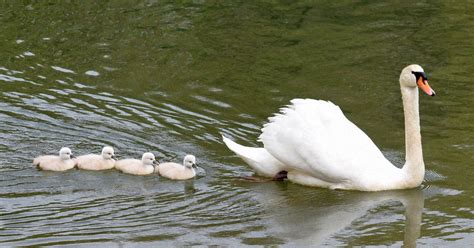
<point x="171" y="77"/>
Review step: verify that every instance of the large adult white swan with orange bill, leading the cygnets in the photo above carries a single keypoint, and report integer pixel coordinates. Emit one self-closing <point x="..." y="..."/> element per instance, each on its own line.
<point x="312" y="143"/>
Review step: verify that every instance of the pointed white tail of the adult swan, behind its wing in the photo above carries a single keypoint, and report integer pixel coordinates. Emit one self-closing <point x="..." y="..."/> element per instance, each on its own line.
<point x="258" y="158"/>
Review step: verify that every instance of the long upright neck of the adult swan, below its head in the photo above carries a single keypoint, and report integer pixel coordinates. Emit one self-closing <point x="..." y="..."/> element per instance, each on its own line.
<point x="414" y="168"/>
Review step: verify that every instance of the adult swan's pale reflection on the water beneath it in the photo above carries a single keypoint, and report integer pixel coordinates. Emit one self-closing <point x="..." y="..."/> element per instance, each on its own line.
<point x="308" y="217"/>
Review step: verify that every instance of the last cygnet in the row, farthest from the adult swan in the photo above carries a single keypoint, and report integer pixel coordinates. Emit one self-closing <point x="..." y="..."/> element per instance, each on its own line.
<point x="63" y="162"/>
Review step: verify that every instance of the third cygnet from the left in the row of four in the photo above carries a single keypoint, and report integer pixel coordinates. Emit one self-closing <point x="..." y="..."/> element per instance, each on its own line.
<point x="137" y="167"/>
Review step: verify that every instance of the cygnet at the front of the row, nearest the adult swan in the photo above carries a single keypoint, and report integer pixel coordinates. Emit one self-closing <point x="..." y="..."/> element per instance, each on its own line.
<point x="177" y="171"/>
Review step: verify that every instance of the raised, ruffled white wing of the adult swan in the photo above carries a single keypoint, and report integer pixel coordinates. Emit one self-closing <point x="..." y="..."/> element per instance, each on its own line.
<point x="315" y="138"/>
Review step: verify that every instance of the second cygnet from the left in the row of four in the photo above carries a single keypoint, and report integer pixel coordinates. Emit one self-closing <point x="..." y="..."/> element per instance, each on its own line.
<point x="104" y="161"/>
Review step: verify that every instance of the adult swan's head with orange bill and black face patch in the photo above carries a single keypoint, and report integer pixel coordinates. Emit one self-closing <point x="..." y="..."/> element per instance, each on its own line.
<point x="413" y="76"/>
